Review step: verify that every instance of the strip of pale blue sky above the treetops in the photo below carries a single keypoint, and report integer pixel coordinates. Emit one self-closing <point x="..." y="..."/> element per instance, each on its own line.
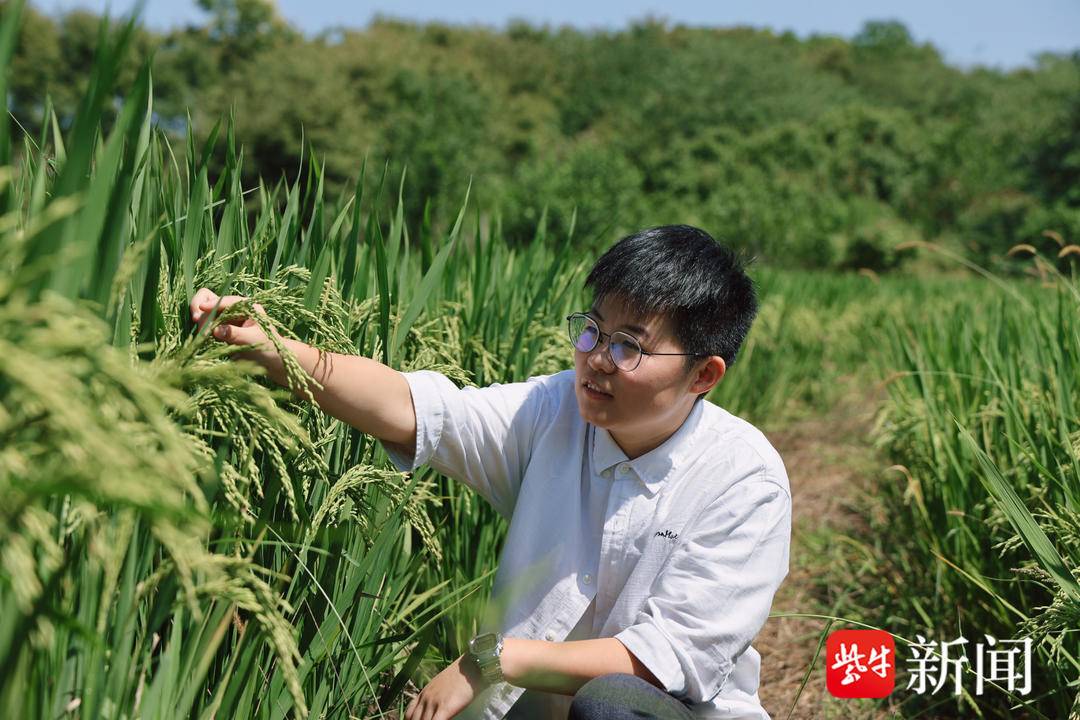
<point x="992" y="33"/>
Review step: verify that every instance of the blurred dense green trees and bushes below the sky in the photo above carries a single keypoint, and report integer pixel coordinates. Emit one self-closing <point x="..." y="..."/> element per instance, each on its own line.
<point x="822" y="153"/>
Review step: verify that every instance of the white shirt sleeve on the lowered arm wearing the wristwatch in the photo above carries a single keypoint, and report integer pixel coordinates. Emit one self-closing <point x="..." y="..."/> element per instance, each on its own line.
<point x="714" y="593"/>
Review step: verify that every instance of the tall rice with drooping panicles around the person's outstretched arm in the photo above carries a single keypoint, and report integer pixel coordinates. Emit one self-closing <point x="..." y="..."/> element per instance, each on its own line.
<point x="183" y="538"/>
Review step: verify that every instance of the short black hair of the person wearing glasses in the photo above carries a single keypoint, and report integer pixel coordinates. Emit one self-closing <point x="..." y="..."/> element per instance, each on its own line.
<point x="684" y="274"/>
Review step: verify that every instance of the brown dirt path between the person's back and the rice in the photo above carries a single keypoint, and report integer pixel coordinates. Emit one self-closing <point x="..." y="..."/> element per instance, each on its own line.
<point x="829" y="460"/>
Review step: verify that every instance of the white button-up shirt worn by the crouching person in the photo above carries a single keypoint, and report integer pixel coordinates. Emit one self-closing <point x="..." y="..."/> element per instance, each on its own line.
<point x="677" y="553"/>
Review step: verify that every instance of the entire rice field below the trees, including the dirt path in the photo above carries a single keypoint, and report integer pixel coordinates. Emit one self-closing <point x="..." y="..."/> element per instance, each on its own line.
<point x="182" y="538"/>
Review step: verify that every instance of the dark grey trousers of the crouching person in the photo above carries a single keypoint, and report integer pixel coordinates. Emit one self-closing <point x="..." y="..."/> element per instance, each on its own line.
<point x="617" y="697"/>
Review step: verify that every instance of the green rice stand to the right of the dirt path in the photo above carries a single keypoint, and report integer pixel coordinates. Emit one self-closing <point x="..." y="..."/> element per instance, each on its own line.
<point x="975" y="531"/>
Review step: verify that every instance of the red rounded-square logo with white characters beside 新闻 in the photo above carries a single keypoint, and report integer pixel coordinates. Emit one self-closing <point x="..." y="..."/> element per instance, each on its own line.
<point x="860" y="663"/>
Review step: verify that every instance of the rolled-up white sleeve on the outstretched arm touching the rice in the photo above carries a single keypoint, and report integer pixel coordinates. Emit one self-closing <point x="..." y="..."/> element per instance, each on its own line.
<point x="481" y="437"/>
